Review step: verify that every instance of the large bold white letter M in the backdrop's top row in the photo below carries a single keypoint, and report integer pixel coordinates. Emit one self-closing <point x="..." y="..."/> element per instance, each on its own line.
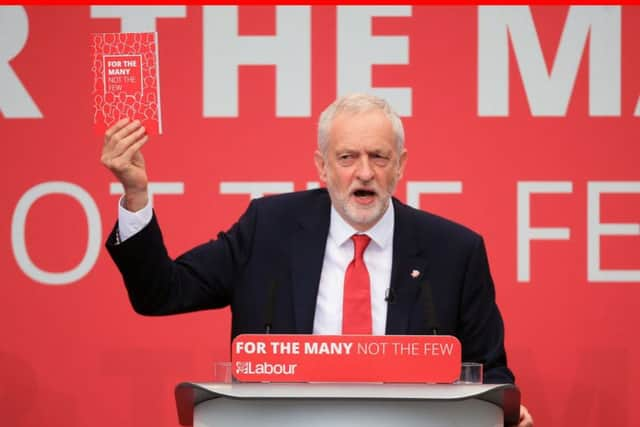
<point x="548" y="92"/>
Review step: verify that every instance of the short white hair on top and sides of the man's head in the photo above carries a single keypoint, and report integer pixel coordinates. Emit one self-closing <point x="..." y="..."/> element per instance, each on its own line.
<point x="357" y="103"/>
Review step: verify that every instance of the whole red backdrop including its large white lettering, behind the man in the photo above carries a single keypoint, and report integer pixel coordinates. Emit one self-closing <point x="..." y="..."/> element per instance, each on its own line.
<point x="521" y="122"/>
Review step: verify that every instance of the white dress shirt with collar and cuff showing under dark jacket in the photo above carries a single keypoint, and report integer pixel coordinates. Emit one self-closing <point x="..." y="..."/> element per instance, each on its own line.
<point x="337" y="256"/>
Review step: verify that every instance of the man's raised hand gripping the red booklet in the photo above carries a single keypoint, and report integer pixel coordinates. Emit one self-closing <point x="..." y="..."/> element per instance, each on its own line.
<point x="121" y="155"/>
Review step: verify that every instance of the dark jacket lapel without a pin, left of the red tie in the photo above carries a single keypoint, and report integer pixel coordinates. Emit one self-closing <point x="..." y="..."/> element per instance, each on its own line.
<point x="308" y="245"/>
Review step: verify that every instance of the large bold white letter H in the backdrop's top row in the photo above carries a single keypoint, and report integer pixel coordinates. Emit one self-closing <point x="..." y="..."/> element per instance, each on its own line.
<point x="224" y="51"/>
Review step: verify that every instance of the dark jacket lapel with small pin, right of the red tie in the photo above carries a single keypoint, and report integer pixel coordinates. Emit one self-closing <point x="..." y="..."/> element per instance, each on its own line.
<point x="408" y="269"/>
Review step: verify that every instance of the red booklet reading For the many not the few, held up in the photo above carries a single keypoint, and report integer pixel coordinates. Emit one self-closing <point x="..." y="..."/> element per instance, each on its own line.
<point x="126" y="80"/>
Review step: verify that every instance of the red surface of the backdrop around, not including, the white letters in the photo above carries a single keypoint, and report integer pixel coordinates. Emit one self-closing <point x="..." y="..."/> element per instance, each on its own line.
<point x="76" y="354"/>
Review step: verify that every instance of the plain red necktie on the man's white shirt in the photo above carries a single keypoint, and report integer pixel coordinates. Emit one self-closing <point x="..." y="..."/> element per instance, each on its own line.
<point x="356" y="305"/>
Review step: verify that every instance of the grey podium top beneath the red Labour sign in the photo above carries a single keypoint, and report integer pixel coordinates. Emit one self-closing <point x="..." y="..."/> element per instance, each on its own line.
<point x="333" y="404"/>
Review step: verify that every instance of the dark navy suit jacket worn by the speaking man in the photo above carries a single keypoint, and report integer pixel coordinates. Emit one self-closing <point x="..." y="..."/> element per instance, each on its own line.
<point x="271" y="260"/>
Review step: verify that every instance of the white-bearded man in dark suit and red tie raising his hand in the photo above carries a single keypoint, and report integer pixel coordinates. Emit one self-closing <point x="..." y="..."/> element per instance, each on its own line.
<point x="283" y="265"/>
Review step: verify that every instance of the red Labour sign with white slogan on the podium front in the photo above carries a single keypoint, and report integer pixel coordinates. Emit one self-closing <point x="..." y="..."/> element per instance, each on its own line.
<point x="346" y="358"/>
